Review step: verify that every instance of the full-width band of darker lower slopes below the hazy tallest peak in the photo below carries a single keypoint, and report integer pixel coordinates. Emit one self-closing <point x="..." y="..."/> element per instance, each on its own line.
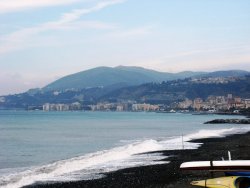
<point x="154" y="93"/>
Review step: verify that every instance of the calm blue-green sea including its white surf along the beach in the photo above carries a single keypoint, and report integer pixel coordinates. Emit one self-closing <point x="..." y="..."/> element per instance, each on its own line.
<point x="38" y="147"/>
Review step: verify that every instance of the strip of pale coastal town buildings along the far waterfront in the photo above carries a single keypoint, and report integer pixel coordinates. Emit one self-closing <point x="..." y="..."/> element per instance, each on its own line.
<point x="210" y="104"/>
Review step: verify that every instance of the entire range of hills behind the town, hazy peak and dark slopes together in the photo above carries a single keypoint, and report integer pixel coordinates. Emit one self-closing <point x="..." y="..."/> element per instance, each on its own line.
<point x="132" y="83"/>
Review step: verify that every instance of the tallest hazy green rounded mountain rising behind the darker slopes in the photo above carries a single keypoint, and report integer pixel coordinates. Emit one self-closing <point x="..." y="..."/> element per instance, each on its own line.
<point x="121" y="75"/>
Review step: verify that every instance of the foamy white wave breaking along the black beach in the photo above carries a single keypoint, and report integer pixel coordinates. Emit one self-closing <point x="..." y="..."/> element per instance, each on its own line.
<point x="92" y="166"/>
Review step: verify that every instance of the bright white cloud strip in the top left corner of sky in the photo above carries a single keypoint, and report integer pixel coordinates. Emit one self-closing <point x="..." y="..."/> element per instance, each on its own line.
<point x="7" y="6"/>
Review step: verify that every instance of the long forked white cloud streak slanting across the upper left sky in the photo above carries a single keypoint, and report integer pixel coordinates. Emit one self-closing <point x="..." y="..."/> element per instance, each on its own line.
<point x="18" y="39"/>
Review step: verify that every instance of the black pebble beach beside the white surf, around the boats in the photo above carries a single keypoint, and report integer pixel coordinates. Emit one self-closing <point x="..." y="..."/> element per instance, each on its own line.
<point x="169" y="175"/>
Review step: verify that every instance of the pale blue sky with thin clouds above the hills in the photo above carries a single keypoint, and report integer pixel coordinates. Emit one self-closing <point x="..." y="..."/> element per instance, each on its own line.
<point x="43" y="40"/>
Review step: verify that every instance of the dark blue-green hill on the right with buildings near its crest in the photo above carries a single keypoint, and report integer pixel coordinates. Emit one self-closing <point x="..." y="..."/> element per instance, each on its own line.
<point x="178" y="90"/>
